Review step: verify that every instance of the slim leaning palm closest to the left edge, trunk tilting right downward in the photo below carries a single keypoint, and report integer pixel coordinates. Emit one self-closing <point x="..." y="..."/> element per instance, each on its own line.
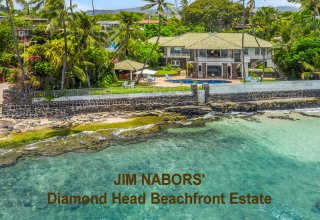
<point x="10" y="8"/>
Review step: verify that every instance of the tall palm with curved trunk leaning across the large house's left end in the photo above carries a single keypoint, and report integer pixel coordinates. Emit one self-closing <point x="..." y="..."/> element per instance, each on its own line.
<point x="161" y="6"/>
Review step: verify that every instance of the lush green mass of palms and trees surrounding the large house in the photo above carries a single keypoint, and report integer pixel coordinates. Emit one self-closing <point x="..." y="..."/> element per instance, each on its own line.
<point x="69" y="50"/>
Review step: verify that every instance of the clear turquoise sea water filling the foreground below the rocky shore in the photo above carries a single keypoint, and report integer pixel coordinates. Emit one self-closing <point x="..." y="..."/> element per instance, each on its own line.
<point x="271" y="156"/>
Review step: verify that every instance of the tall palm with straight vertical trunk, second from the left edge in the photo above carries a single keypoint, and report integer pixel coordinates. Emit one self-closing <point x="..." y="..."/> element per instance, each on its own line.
<point x="56" y="10"/>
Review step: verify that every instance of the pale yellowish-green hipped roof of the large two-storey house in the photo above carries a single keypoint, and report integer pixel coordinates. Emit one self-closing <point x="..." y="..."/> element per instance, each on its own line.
<point x="213" y="41"/>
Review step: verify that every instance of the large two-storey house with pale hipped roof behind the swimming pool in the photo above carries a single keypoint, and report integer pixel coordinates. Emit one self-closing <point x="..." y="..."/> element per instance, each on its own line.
<point x="213" y="54"/>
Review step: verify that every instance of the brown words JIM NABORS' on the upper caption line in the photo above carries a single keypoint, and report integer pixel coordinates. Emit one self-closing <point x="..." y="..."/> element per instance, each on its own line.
<point x="159" y="179"/>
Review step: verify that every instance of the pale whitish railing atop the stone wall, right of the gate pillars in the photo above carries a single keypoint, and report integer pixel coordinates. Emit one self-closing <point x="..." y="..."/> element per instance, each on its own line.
<point x="265" y="87"/>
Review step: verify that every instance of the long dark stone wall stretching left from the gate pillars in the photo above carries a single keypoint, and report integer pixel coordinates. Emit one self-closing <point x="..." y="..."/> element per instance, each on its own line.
<point x="18" y="106"/>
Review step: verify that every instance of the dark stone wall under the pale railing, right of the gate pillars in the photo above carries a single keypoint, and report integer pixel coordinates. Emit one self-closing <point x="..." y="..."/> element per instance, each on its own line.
<point x="255" y="96"/>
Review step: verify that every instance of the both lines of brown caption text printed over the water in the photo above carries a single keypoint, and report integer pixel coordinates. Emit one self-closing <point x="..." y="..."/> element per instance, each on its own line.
<point x="186" y="198"/>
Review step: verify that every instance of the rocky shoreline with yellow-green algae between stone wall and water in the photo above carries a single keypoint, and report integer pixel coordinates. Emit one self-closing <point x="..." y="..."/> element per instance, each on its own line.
<point x="94" y="132"/>
